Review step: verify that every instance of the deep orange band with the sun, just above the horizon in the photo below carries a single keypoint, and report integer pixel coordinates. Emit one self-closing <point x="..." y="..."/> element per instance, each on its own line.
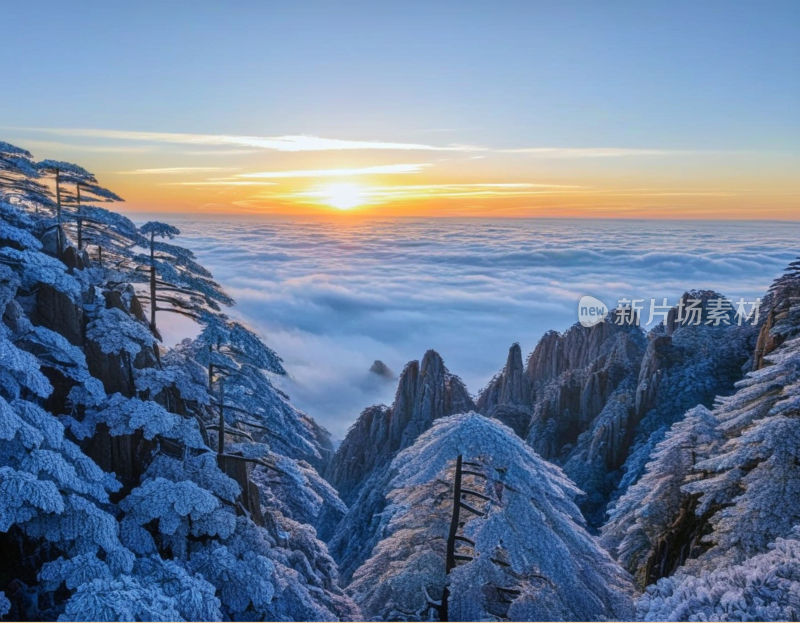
<point x="356" y="197"/>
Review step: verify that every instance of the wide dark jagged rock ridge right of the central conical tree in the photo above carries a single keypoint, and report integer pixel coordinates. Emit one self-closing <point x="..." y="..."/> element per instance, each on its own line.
<point x="582" y="399"/>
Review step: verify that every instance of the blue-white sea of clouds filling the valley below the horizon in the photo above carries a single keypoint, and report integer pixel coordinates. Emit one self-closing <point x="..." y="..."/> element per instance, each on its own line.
<point x="333" y="297"/>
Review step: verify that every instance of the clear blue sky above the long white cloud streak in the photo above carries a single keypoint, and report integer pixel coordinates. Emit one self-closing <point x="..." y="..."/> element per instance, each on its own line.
<point x="707" y="77"/>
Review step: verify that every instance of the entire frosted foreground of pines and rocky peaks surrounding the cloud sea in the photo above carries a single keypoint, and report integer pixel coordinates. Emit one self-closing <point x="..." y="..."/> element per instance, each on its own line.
<point x="615" y="475"/>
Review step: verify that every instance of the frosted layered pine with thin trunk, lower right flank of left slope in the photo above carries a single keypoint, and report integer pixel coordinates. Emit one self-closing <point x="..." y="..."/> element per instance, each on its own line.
<point x="254" y="423"/>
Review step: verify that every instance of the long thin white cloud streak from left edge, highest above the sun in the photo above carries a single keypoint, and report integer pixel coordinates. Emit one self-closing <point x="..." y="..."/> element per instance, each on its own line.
<point x="289" y="143"/>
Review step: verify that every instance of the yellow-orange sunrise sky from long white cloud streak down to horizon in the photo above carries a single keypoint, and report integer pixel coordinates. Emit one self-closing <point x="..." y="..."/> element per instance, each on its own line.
<point x="317" y="177"/>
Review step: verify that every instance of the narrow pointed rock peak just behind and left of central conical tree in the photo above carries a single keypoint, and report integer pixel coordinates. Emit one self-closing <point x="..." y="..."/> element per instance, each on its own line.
<point x="426" y="391"/>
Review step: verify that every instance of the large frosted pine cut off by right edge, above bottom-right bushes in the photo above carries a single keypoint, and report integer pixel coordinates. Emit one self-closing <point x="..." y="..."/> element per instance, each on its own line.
<point x="754" y="479"/>
